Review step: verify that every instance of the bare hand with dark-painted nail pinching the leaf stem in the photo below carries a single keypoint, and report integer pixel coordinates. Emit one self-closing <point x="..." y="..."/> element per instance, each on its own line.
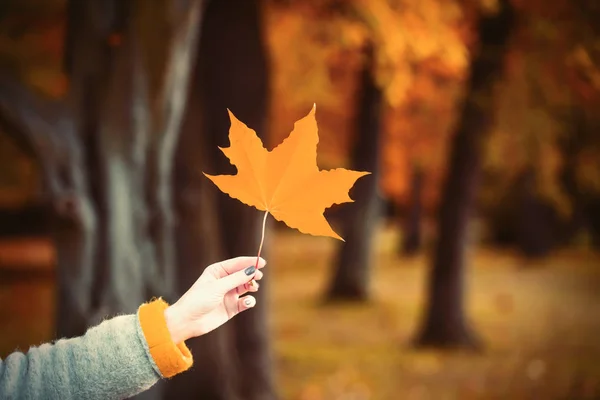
<point x="214" y="298"/>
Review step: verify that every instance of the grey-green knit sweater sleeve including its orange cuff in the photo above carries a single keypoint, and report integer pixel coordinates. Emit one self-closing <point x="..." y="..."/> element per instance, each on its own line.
<point x="117" y="359"/>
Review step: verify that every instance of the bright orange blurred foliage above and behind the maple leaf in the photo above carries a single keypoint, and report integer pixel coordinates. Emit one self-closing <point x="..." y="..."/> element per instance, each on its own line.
<point x="421" y="59"/>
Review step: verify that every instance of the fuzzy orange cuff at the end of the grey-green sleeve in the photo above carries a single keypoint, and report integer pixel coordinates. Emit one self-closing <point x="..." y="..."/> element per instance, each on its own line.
<point x="170" y="358"/>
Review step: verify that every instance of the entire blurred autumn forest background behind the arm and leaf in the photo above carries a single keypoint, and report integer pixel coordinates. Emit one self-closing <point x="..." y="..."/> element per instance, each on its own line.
<point x="470" y="267"/>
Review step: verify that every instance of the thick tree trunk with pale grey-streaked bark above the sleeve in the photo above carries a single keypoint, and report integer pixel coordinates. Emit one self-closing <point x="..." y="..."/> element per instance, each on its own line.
<point x="128" y="103"/>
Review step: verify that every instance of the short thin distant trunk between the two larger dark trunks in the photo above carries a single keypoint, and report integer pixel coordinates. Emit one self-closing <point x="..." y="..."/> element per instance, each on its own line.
<point x="412" y="240"/>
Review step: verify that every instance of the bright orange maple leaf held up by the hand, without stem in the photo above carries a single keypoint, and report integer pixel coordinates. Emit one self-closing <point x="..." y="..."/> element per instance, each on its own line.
<point x="285" y="182"/>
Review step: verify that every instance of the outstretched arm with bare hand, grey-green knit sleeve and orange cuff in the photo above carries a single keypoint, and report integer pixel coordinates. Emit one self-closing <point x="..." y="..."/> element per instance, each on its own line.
<point x="126" y="355"/>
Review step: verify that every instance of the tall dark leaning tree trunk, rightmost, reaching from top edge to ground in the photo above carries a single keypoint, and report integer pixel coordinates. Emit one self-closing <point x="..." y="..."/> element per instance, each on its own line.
<point x="444" y="323"/>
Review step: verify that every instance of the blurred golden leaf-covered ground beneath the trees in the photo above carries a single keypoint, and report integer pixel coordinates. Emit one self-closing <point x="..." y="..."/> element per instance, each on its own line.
<point x="540" y="322"/>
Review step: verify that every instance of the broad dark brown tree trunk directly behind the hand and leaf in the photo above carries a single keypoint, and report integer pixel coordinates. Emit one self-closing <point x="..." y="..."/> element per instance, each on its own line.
<point x="231" y="73"/>
